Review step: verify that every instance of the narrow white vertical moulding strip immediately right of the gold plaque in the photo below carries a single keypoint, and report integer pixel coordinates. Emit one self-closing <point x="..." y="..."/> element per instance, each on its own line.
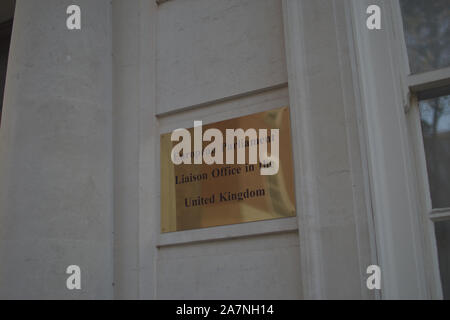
<point x="306" y="193"/>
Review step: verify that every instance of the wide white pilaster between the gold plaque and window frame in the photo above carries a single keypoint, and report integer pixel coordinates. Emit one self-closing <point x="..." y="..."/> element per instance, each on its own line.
<point x="333" y="215"/>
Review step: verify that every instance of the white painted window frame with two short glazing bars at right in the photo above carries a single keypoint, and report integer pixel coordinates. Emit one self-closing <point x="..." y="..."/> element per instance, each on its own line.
<point x="406" y="245"/>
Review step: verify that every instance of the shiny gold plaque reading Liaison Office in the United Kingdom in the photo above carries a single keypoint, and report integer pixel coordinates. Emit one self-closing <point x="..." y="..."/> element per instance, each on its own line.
<point x="200" y="195"/>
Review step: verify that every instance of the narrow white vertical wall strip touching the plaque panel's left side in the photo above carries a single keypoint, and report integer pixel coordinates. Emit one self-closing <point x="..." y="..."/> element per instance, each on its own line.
<point x="148" y="152"/>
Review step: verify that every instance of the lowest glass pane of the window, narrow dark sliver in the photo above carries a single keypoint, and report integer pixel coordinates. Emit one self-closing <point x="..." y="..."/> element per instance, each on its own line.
<point x="442" y="231"/>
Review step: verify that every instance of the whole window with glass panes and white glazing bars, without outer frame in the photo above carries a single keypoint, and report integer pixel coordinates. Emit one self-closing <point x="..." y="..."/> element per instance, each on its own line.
<point x="426" y="27"/>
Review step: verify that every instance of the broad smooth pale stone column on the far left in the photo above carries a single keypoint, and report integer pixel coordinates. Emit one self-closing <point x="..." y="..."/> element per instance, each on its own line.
<point x="56" y="153"/>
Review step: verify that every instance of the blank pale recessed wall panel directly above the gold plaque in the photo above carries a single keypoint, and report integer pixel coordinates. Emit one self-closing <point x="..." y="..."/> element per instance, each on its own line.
<point x="213" y="49"/>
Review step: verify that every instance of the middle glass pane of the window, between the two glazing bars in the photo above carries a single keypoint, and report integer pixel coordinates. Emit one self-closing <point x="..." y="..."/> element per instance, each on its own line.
<point x="435" y="118"/>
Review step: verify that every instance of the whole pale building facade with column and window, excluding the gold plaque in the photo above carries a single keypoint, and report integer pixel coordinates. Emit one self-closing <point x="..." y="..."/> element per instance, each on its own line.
<point x="83" y="112"/>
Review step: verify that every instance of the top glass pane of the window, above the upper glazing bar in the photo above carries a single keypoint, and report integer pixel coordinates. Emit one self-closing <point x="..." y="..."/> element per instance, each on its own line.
<point x="427" y="31"/>
